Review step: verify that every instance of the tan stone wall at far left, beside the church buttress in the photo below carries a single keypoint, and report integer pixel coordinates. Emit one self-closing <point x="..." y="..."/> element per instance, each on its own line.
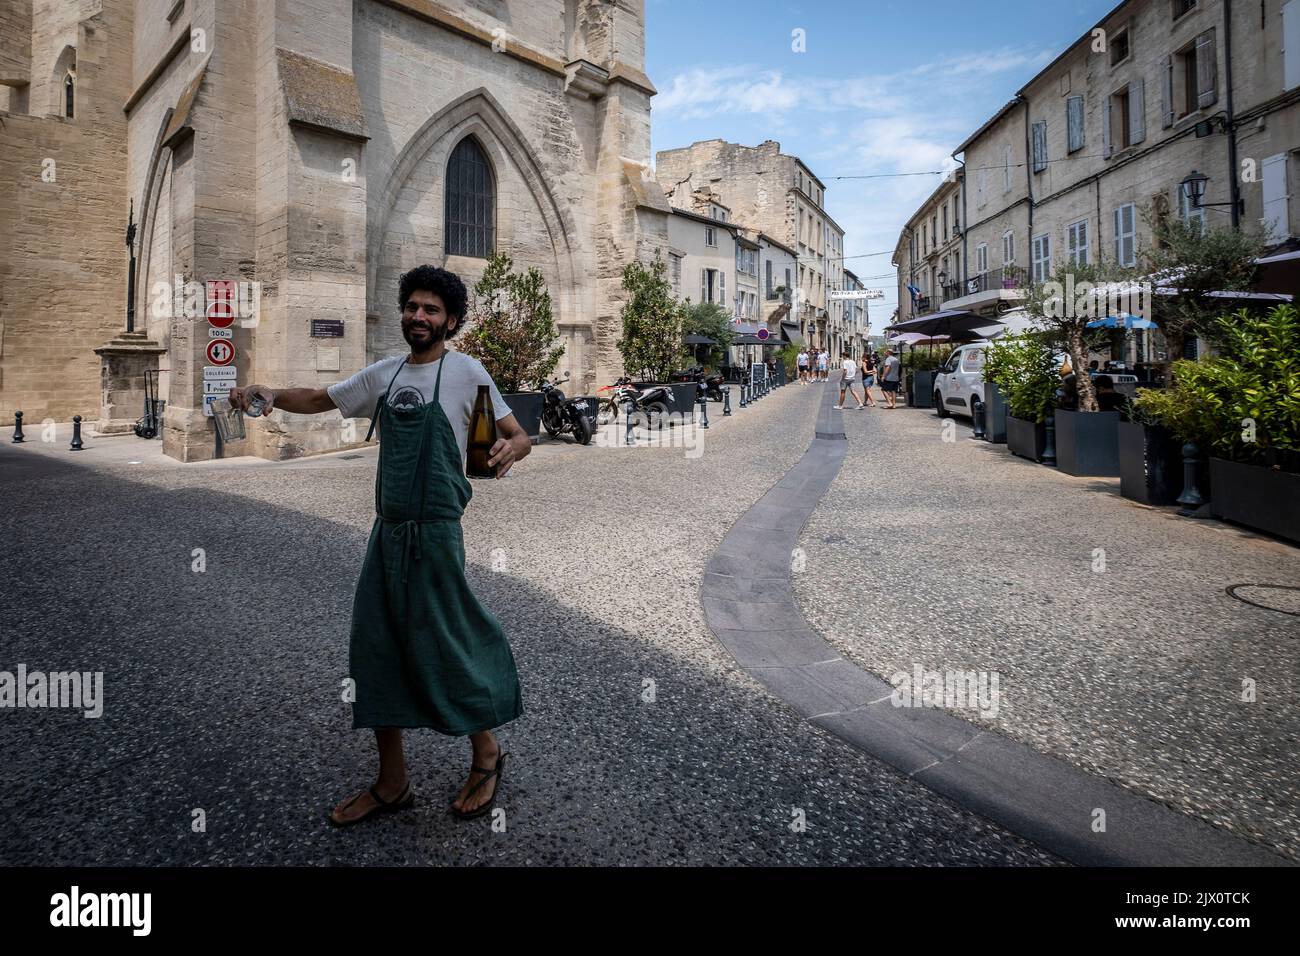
<point x="63" y="222"/>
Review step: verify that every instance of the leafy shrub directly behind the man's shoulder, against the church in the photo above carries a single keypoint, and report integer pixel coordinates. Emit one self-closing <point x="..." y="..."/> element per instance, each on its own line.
<point x="512" y="331"/>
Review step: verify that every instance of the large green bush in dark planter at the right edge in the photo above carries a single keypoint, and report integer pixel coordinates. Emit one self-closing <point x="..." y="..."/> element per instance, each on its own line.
<point x="1241" y="409"/>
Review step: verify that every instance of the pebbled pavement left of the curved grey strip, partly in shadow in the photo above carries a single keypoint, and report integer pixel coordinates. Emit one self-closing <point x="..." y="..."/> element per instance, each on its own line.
<point x="223" y="689"/>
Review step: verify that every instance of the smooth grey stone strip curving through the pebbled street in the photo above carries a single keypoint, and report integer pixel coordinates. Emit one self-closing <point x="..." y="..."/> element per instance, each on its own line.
<point x="751" y="608"/>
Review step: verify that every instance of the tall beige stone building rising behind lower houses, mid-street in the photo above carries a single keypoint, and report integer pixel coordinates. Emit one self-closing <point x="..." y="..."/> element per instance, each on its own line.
<point x="777" y="194"/>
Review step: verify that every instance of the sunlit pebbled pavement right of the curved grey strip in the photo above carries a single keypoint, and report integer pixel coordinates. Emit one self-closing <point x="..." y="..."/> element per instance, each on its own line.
<point x="956" y="556"/>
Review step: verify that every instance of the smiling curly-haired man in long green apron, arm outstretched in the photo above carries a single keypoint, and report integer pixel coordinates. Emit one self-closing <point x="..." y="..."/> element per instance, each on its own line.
<point x="423" y="651"/>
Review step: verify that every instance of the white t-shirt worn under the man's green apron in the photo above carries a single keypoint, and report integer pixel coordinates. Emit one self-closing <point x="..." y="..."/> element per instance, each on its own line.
<point x="356" y="397"/>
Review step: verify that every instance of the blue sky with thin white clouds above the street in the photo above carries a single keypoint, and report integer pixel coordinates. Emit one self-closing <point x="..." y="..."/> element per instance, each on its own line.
<point x="883" y="86"/>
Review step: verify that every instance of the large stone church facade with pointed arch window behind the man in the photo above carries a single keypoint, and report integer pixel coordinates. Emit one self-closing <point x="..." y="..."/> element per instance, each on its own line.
<point x="311" y="152"/>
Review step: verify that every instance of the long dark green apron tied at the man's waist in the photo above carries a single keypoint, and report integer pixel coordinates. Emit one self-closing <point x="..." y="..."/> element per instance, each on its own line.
<point x="424" y="652"/>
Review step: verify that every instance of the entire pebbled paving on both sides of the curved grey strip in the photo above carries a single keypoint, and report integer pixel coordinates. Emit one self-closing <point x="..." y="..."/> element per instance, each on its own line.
<point x="643" y="741"/>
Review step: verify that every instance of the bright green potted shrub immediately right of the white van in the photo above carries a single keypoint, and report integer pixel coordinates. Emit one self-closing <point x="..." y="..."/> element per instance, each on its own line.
<point x="1025" y="370"/>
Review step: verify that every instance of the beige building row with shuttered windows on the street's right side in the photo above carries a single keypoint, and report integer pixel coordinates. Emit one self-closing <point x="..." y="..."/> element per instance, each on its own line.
<point x="1185" y="109"/>
